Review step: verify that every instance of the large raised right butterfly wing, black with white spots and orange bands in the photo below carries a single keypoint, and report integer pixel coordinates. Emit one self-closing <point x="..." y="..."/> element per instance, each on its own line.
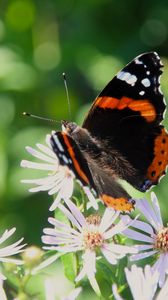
<point x="127" y="115"/>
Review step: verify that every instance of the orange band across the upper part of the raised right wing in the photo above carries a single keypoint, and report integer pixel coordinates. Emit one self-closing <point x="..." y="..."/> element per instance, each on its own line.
<point x="144" y="107"/>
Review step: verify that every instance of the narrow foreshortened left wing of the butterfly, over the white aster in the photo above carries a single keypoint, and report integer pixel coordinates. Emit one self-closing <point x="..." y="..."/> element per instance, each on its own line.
<point x="89" y="175"/>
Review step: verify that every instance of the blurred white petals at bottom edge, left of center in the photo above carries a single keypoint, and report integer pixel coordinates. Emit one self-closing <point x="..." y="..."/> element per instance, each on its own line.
<point x="51" y="289"/>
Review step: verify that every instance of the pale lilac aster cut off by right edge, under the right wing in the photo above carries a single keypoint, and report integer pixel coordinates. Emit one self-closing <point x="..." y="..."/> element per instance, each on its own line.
<point x="153" y="237"/>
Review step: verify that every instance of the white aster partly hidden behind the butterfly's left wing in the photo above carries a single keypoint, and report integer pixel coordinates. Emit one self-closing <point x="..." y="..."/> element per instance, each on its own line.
<point x="59" y="179"/>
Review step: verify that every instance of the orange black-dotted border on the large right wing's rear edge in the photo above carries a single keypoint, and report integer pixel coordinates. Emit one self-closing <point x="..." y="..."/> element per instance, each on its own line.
<point x="160" y="161"/>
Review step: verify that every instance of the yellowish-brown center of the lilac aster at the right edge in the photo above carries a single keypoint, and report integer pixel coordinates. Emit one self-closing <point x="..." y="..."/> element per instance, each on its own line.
<point x="161" y="241"/>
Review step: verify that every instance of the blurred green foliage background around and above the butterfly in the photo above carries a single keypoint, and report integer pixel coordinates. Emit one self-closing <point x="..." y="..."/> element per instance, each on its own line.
<point x="89" y="40"/>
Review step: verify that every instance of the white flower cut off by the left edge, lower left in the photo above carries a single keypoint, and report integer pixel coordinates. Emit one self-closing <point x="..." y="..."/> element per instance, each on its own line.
<point x="10" y="250"/>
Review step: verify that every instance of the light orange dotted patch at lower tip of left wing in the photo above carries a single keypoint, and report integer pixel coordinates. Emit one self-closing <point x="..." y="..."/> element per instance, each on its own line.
<point x="121" y="204"/>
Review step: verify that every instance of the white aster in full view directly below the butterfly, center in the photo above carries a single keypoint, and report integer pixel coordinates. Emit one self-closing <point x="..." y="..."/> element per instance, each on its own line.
<point x="87" y="235"/>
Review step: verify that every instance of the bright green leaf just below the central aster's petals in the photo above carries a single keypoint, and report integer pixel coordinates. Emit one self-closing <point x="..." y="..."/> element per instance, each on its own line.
<point x="70" y="266"/>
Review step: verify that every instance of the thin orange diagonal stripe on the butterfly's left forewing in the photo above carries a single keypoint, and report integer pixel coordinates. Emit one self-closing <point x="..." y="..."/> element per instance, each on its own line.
<point x="75" y="162"/>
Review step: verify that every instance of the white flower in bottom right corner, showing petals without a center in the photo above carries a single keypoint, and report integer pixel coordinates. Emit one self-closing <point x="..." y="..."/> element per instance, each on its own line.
<point x="143" y="284"/>
